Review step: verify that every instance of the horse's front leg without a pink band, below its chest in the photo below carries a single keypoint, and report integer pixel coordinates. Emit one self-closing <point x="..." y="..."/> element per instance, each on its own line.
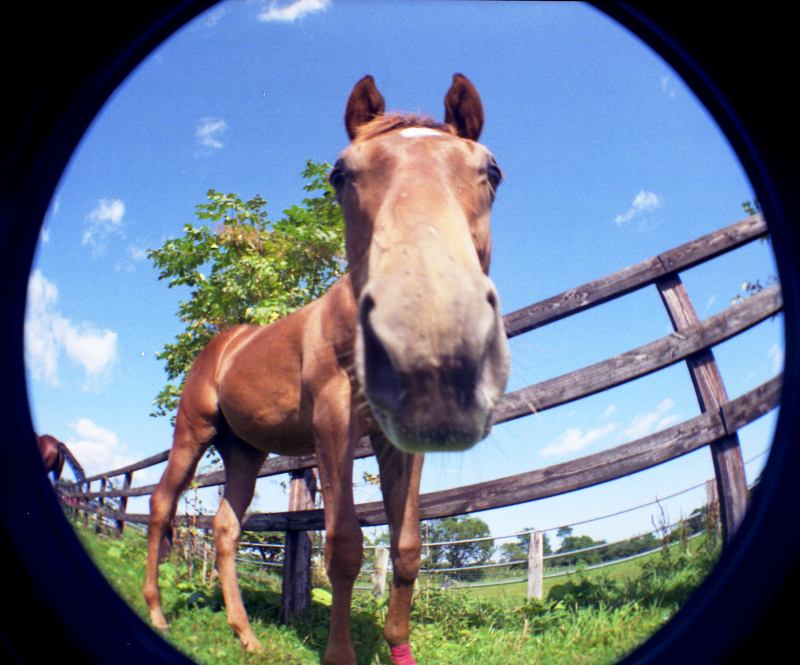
<point x="343" y="537"/>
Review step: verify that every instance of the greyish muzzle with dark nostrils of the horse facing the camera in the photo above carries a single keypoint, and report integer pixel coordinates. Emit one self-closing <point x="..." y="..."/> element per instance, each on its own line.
<point x="433" y="387"/>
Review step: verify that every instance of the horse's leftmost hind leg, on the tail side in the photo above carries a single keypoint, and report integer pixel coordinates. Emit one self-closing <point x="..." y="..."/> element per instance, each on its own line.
<point x="187" y="449"/>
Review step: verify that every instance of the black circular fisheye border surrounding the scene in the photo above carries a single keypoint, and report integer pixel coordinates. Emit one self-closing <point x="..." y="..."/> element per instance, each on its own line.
<point x="60" y="69"/>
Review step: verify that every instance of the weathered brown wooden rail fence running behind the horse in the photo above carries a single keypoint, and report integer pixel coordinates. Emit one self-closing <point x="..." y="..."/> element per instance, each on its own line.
<point x="692" y="342"/>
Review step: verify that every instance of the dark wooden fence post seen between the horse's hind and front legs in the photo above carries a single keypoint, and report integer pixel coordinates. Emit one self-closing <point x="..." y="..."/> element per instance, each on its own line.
<point x="296" y="592"/>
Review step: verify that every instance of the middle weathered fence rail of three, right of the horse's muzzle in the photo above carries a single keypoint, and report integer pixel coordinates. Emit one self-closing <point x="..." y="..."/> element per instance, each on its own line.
<point x="640" y="361"/>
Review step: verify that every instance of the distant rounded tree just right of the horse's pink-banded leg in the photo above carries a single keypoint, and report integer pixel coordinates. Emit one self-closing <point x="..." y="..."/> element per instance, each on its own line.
<point x="457" y="555"/>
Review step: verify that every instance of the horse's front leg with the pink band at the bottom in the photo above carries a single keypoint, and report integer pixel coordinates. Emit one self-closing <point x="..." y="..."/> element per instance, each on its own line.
<point x="400" y="477"/>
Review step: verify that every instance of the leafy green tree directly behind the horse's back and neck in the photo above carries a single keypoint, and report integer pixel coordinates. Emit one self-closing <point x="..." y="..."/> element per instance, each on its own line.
<point x="242" y="268"/>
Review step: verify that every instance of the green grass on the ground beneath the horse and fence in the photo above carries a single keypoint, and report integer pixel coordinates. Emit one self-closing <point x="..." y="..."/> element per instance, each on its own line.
<point x="591" y="617"/>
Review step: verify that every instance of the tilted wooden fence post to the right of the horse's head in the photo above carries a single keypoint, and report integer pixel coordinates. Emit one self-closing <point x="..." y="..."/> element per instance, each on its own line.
<point x="711" y="395"/>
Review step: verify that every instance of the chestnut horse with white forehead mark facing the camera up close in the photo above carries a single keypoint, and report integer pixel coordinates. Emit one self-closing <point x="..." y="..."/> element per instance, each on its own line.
<point x="409" y="348"/>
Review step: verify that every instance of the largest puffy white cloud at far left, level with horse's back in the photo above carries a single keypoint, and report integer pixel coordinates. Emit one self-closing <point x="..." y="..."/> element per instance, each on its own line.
<point x="48" y="333"/>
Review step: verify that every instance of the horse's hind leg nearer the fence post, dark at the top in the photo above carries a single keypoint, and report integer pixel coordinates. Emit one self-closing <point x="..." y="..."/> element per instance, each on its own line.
<point x="242" y="464"/>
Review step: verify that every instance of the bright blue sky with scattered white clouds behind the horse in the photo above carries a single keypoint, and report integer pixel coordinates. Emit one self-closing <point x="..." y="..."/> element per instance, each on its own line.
<point x="608" y="158"/>
